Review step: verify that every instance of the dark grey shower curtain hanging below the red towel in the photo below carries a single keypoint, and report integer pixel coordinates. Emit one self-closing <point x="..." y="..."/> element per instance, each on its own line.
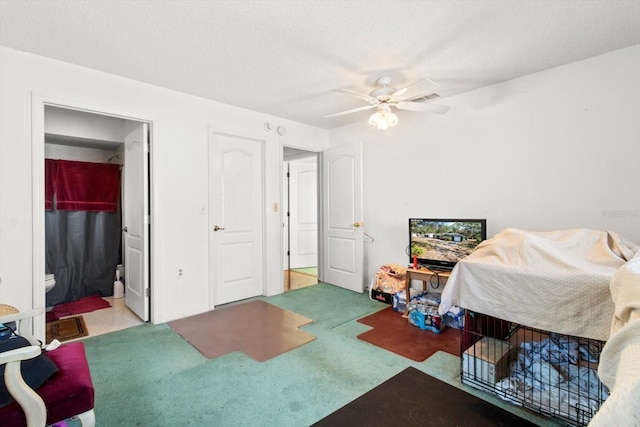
<point x="83" y="251"/>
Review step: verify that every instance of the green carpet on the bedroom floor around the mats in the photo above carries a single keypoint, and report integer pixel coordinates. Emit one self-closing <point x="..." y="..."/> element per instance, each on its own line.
<point x="149" y="376"/>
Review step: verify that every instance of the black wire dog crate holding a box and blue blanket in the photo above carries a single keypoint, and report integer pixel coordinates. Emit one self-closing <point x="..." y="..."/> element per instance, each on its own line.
<point x="545" y="372"/>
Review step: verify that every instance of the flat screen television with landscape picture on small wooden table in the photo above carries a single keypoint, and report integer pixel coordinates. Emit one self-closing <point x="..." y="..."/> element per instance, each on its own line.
<point x="440" y="243"/>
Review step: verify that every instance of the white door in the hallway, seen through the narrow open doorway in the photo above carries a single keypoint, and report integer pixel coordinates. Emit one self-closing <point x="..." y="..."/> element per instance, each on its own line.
<point x="303" y="212"/>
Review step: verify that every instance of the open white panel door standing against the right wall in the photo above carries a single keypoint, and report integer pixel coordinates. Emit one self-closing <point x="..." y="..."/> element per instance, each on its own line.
<point x="342" y="217"/>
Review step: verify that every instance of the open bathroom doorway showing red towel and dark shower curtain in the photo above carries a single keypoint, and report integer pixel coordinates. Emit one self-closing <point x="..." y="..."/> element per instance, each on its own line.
<point x="86" y="248"/>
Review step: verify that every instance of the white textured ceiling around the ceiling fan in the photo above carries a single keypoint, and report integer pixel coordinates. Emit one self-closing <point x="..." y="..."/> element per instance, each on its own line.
<point x="288" y="58"/>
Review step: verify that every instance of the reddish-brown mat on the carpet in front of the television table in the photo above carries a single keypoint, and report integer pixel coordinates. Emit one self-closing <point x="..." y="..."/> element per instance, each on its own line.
<point x="394" y="333"/>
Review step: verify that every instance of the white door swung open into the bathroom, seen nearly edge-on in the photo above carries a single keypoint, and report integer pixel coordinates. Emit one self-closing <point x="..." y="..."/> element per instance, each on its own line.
<point x="136" y="218"/>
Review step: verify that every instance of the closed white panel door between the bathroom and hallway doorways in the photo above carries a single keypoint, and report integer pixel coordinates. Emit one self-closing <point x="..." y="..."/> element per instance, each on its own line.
<point x="236" y="217"/>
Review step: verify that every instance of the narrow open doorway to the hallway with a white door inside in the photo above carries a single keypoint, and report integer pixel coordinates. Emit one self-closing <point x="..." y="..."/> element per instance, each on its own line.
<point x="301" y="218"/>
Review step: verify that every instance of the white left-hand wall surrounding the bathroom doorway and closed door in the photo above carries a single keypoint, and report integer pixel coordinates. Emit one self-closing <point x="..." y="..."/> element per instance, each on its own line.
<point x="179" y="174"/>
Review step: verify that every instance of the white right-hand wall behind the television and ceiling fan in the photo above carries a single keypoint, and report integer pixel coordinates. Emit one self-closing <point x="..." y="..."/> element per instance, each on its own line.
<point x="553" y="150"/>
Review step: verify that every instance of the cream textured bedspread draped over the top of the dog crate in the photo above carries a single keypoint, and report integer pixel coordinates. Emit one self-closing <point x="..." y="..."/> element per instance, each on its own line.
<point x="556" y="281"/>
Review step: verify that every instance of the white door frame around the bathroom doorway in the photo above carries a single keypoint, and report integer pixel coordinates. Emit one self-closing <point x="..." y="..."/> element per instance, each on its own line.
<point x="38" y="103"/>
